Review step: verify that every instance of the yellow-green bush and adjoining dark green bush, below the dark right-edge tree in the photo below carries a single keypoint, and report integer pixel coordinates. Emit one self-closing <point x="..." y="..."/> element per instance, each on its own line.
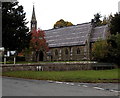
<point x="107" y="50"/>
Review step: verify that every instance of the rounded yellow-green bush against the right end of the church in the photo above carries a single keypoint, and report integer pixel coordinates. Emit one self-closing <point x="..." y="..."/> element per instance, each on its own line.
<point x="100" y="50"/>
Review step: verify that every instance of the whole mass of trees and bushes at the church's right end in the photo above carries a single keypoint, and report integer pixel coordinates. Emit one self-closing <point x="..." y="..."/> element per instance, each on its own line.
<point x="111" y="50"/>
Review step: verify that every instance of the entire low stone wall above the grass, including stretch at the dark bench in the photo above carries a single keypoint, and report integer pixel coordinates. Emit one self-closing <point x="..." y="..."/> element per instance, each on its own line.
<point x="66" y="66"/>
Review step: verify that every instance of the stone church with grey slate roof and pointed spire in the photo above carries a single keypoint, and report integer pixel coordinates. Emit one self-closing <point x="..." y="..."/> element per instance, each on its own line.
<point x="71" y="43"/>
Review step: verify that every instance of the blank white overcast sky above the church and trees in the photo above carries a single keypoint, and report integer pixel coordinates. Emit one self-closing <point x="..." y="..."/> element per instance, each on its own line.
<point x="75" y="11"/>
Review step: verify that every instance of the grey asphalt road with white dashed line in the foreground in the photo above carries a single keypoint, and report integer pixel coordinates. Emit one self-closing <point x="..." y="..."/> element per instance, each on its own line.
<point x="28" y="87"/>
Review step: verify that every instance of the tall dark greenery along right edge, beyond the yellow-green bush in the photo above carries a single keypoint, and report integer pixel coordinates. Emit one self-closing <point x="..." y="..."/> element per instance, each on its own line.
<point x="114" y="39"/>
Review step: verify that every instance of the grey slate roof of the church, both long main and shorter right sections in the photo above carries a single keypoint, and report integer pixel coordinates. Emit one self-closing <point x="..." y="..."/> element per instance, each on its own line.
<point x="73" y="35"/>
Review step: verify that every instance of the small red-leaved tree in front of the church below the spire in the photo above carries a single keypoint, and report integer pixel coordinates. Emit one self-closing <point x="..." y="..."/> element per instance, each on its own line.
<point x="38" y="42"/>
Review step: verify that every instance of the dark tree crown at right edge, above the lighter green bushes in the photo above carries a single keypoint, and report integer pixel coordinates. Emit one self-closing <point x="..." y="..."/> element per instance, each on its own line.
<point x="115" y="24"/>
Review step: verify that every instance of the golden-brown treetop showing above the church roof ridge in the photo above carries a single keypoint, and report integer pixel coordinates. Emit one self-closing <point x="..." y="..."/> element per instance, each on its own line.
<point x="61" y="23"/>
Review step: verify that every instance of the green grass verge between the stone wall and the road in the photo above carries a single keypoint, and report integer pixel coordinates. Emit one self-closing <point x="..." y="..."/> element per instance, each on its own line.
<point x="68" y="76"/>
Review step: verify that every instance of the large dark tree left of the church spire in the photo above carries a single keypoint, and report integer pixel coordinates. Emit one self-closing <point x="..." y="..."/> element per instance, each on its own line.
<point x="14" y="30"/>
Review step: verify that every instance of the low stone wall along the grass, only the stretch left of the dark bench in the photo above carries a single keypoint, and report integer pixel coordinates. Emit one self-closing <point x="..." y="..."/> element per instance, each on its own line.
<point x="46" y="67"/>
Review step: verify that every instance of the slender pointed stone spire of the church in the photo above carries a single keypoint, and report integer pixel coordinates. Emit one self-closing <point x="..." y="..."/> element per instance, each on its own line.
<point x="33" y="20"/>
